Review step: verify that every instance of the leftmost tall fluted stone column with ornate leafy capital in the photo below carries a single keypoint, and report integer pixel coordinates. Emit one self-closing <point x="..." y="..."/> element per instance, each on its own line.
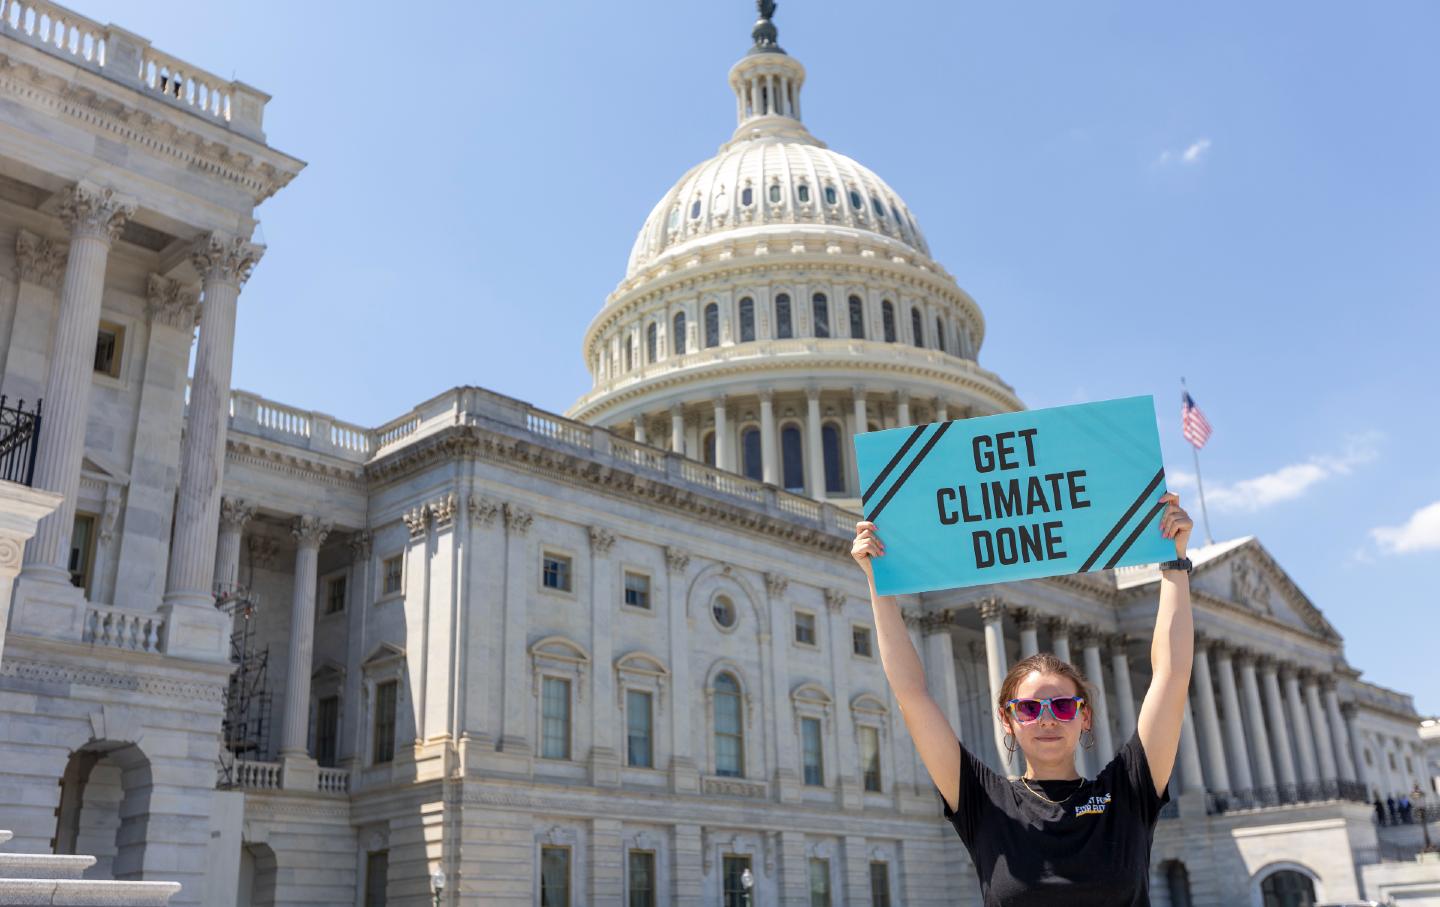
<point x="96" y="218"/>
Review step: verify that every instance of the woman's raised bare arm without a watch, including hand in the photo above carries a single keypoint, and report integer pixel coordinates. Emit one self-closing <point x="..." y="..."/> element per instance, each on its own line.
<point x="932" y="734"/>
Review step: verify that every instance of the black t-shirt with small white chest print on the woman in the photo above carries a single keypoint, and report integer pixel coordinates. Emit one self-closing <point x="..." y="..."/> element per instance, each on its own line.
<point x="1092" y="850"/>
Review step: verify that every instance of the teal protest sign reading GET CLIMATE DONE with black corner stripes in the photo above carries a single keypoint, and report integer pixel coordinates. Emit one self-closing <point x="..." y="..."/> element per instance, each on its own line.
<point x="1017" y="496"/>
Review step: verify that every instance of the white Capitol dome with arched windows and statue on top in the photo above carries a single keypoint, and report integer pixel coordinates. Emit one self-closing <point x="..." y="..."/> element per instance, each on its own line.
<point x="778" y="300"/>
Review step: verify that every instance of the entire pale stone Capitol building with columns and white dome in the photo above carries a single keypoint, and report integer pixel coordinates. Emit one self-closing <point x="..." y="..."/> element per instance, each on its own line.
<point x="486" y="654"/>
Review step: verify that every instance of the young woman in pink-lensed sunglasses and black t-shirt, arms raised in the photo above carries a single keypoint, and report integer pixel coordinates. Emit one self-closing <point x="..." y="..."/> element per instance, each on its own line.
<point x="1053" y="837"/>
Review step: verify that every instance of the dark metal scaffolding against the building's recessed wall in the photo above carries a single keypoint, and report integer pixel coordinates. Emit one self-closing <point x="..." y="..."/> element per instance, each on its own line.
<point x="247" y="726"/>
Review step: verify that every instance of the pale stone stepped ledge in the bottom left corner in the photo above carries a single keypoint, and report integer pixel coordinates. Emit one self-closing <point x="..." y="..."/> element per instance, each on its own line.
<point x="55" y="882"/>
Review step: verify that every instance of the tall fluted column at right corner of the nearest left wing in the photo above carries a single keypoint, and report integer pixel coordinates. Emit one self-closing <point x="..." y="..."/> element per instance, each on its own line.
<point x="224" y="263"/>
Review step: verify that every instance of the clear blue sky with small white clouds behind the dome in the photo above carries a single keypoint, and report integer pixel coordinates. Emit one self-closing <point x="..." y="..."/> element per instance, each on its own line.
<point x="1245" y="195"/>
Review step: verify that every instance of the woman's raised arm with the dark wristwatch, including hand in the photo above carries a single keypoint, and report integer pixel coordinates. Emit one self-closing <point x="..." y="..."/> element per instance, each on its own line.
<point x="1173" y="653"/>
